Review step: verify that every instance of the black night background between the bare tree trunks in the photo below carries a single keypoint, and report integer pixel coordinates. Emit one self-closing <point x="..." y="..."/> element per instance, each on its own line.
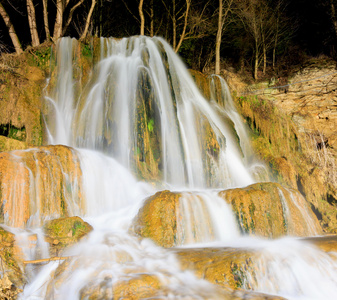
<point x="309" y="28"/>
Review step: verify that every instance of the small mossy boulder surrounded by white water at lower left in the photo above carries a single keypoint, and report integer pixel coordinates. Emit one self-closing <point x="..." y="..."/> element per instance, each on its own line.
<point x="63" y="232"/>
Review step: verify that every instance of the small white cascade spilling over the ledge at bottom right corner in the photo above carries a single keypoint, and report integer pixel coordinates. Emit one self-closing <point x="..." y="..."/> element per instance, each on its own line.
<point x="293" y="270"/>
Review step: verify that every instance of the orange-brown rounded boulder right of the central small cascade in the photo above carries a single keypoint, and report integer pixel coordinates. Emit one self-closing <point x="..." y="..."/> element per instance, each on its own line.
<point x="270" y="210"/>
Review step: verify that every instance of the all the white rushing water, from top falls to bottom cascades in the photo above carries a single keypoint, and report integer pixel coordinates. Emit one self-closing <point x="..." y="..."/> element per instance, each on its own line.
<point x="102" y="122"/>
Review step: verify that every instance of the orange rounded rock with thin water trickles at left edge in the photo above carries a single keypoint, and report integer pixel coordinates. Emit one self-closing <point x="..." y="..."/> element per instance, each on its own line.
<point x="38" y="183"/>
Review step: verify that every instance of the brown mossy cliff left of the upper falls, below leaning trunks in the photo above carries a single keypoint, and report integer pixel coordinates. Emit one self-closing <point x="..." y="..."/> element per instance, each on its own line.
<point x="21" y="83"/>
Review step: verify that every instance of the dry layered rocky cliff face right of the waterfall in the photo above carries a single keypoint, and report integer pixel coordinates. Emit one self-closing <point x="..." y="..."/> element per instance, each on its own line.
<point x="293" y="124"/>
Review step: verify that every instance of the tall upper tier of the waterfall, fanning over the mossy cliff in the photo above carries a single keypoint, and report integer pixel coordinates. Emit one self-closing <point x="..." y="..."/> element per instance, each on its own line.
<point x="141" y="105"/>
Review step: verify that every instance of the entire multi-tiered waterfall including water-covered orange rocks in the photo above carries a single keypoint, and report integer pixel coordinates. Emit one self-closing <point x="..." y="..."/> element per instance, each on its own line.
<point x="135" y="127"/>
